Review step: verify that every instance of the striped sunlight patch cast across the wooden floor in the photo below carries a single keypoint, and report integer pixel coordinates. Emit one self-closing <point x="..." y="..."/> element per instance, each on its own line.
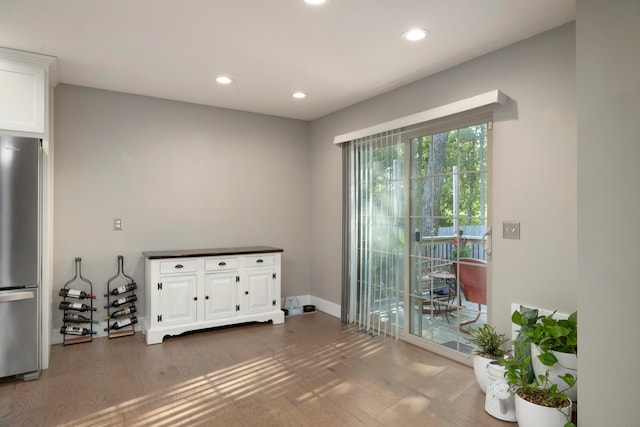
<point x="200" y="398"/>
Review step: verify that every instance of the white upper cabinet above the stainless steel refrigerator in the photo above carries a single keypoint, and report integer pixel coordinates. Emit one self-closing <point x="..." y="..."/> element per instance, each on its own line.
<point x="25" y="79"/>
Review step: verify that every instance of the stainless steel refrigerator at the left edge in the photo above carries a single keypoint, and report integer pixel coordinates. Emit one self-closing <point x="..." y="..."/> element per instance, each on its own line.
<point x="20" y="270"/>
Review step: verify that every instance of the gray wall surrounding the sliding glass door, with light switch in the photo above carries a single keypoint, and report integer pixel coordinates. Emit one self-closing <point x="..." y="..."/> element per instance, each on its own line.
<point x="534" y="169"/>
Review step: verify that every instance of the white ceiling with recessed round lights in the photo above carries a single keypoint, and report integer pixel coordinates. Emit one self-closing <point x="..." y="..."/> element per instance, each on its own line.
<point x="339" y="53"/>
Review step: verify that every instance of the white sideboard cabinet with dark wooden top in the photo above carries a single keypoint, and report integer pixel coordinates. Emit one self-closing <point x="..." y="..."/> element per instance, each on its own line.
<point x="198" y="289"/>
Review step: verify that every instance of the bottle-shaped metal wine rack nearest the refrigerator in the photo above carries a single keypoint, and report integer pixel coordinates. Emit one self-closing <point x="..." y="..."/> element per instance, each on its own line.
<point x="77" y="311"/>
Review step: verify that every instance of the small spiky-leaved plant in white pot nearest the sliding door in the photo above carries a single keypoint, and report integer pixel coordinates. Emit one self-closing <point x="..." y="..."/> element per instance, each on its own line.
<point x="488" y="347"/>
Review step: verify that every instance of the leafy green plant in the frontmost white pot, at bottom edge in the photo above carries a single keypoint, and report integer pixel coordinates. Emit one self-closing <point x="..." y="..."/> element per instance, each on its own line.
<point x="538" y="400"/>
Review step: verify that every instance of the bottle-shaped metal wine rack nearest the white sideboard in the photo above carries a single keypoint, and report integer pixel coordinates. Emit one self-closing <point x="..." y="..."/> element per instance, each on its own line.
<point x="120" y="306"/>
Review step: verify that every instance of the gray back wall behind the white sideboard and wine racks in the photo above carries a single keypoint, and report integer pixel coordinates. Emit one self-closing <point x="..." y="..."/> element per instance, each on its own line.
<point x="181" y="176"/>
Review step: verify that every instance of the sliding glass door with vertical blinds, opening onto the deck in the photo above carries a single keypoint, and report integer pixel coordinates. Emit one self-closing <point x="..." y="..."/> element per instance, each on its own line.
<point x="416" y="221"/>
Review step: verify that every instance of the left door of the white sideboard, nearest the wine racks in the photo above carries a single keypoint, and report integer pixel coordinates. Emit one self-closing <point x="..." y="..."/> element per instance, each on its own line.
<point x="177" y="300"/>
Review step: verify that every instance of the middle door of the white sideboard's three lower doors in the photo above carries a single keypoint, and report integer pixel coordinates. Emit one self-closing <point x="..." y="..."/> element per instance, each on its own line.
<point x="220" y="295"/>
